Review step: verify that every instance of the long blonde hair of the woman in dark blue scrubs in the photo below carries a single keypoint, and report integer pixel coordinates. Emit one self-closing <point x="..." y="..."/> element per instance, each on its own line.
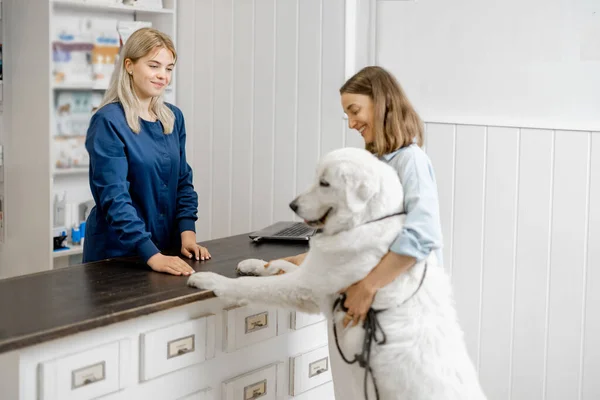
<point x="120" y="90"/>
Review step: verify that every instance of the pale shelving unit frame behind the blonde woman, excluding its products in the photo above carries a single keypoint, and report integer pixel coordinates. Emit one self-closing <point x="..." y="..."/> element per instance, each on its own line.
<point x="30" y="101"/>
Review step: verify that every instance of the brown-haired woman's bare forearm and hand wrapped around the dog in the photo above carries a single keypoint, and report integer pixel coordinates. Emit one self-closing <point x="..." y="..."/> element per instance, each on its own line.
<point x="359" y="296"/>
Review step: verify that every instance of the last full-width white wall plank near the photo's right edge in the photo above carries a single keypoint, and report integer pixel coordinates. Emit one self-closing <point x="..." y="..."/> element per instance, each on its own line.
<point x="567" y="263"/>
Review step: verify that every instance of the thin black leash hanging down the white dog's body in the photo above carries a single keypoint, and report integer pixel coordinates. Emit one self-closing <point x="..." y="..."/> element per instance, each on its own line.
<point x="372" y="328"/>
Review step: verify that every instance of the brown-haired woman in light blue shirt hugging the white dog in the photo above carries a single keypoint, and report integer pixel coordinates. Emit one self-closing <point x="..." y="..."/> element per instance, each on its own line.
<point x="378" y="108"/>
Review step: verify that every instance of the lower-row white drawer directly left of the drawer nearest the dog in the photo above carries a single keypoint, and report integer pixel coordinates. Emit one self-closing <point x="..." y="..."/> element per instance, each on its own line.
<point x="260" y="384"/>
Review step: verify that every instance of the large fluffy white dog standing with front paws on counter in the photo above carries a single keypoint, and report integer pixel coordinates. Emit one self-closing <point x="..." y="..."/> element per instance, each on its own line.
<point x="357" y="201"/>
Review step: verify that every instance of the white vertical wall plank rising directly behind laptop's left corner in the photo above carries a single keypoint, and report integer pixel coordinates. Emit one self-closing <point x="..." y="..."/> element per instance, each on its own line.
<point x="262" y="147"/>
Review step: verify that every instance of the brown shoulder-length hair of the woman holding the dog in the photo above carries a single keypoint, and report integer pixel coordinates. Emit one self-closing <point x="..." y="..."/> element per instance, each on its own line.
<point x="396" y="123"/>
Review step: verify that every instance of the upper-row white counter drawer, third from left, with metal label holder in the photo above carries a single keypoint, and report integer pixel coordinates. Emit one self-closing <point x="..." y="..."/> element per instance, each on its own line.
<point x="248" y="325"/>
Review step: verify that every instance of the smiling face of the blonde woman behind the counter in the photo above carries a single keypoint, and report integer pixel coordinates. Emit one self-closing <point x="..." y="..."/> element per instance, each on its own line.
<point x="152" y="73"/>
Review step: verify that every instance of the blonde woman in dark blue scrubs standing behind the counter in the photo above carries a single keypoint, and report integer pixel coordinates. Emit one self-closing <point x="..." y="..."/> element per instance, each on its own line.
<point x="139" y="176"/>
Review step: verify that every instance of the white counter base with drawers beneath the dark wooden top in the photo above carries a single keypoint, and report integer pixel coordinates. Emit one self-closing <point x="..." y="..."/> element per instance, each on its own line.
<point x="176" y="354"/>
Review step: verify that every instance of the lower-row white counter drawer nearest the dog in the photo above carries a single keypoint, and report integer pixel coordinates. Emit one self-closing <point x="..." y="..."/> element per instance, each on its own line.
<point x="309" y="370"/>
